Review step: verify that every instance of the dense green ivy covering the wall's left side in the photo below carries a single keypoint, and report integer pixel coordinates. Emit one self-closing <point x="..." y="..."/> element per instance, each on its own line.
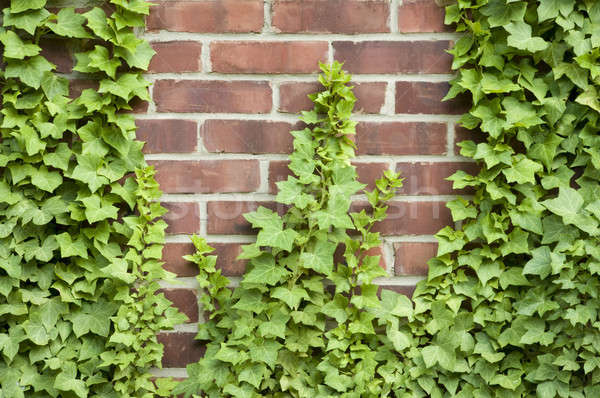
<point x="80" y="229"/>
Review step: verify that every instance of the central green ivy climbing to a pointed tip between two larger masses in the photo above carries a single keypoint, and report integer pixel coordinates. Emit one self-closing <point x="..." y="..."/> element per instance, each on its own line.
<point x="285" y="331"/>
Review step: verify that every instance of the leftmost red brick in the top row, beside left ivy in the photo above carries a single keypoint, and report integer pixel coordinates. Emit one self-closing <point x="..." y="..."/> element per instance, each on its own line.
<point x="213" y="16"/>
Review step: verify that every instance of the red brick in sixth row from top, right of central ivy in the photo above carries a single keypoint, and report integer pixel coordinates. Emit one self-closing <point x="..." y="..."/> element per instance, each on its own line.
<point x="412" y="218"/>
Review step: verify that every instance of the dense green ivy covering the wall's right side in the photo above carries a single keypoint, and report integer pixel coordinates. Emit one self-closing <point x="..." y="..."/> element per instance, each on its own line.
<point x="510" y="306"/>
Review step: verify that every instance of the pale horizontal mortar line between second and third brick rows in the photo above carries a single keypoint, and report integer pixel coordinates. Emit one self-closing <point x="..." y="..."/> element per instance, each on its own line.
<point x="300" y="78"/>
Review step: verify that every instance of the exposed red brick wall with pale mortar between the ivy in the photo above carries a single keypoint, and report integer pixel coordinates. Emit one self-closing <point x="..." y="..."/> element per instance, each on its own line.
<point x="230" y="77"/>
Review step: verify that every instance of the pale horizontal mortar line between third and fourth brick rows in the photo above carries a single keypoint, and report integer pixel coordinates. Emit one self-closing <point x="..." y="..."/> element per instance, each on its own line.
<point x="293" y="118"/>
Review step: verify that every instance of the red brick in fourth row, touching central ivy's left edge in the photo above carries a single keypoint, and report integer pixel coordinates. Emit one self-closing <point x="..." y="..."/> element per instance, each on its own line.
<point x="246" y="136"/>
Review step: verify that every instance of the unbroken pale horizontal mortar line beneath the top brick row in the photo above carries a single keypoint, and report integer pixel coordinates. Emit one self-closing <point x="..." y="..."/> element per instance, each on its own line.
<point x="271" y="36"/>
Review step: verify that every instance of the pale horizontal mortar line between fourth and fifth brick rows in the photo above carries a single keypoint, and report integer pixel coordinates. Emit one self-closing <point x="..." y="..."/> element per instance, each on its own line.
<point x="363" y="159"/>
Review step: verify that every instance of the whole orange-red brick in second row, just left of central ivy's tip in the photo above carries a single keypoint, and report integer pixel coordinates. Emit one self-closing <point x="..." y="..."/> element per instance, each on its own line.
<point x="267" y="57"/>
